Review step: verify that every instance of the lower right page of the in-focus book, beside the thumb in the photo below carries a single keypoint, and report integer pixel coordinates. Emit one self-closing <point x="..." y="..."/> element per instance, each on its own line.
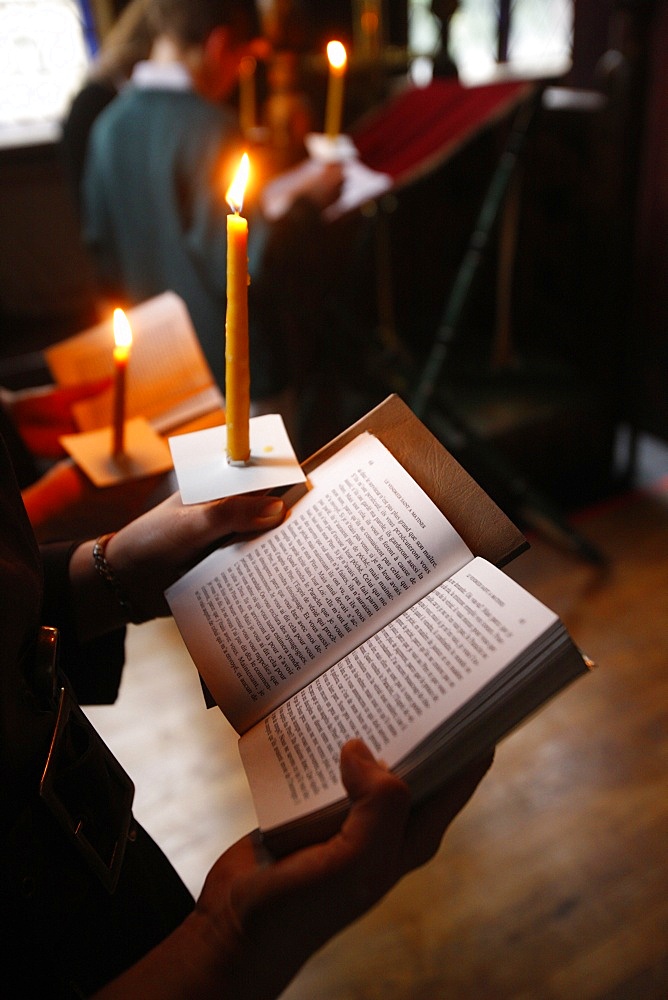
<point x="393" y="691"/>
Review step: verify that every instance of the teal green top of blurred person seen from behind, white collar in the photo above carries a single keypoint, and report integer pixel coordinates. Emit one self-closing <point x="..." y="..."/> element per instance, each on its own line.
<point x="158" y="165"/>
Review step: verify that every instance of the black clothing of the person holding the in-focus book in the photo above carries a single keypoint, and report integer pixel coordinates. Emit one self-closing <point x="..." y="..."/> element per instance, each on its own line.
<point x="65" y="934"/>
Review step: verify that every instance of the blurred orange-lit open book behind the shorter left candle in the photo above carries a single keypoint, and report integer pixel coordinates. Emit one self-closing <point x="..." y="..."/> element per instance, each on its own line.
<point x="169" y="380"/>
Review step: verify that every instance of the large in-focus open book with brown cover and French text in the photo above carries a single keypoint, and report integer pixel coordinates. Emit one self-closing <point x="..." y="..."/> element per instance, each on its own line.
<point x="375" y="610"/>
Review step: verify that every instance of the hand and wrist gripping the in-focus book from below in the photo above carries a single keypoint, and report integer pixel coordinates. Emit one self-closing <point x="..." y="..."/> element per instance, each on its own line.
<point x="284" y="910"/>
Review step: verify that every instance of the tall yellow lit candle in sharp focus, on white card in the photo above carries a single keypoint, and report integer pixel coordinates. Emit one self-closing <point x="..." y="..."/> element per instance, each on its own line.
<point x="237" y="367"/>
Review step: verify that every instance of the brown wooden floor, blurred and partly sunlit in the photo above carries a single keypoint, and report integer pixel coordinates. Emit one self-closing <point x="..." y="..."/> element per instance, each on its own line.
<point x="553" y="884"/>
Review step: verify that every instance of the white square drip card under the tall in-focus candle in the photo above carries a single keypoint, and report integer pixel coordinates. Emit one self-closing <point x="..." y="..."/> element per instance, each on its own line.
<point x="204" y="473"/>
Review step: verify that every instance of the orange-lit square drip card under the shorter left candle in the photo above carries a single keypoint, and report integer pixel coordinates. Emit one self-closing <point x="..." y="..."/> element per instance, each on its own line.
<point x="145" y="453"/>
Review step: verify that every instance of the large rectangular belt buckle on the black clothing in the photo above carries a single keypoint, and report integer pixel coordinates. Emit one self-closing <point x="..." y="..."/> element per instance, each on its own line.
<point x="87" y="791"/>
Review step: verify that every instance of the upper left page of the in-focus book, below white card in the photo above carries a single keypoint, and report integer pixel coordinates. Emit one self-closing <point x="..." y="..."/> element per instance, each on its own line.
<point x="262" y="618"/>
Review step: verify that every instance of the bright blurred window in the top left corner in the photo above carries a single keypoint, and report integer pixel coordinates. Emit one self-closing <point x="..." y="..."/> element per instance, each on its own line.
<point x="45" y="48"/>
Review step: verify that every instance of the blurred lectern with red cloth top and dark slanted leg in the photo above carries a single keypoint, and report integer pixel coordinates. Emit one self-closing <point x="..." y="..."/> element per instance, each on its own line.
<point x="408" y="138"/>
